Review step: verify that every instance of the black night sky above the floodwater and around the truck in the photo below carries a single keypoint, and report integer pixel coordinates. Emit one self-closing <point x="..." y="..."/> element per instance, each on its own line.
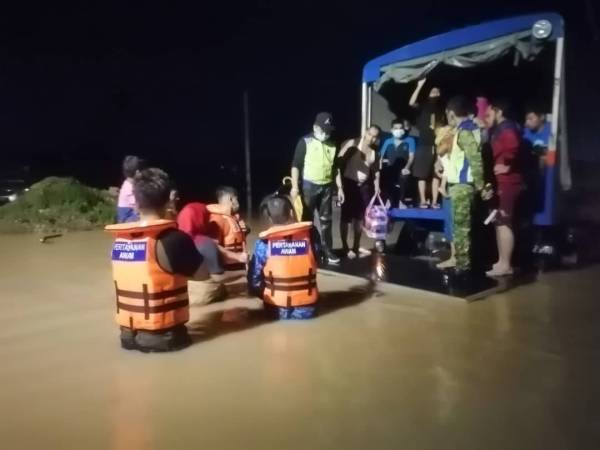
<point x="83" y="85"/>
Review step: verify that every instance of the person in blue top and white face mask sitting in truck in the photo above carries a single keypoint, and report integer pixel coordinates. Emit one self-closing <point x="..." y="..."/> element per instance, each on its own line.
<point x="397" y="157"/>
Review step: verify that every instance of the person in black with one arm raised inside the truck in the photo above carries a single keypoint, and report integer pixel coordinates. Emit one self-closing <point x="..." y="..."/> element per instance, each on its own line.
<point x="429" y="117"/>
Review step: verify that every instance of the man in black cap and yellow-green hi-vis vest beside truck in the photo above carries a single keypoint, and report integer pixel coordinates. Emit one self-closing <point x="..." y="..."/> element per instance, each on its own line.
<point x="314" y="163"/>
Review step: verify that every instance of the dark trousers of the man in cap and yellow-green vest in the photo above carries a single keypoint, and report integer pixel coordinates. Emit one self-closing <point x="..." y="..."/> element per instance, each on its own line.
<point x="318" y="197"/>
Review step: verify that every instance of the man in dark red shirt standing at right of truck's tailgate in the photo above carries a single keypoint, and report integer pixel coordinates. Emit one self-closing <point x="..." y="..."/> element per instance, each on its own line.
<point x="506" y="147"/>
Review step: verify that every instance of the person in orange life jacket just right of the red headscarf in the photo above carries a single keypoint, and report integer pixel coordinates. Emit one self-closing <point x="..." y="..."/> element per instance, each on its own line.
<point x="228" y="229"/>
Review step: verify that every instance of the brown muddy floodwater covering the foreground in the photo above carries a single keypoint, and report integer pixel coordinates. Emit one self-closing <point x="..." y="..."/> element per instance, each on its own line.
<point x="382" y="368"/>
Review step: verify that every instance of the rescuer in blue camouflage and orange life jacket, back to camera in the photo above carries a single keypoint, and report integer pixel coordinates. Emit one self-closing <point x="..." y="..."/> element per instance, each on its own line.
<point x="283" y="269"/>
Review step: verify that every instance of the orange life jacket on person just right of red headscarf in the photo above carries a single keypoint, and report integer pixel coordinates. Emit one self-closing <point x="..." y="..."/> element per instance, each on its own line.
<point x="230" y="233"/>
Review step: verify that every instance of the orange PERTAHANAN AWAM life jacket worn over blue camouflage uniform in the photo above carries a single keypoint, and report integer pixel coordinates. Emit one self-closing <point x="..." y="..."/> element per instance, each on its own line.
<point x="291" y="268"/>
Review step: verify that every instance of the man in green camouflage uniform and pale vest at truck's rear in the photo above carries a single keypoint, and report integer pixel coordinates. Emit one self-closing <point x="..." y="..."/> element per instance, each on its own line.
<point x="464" y="169"/>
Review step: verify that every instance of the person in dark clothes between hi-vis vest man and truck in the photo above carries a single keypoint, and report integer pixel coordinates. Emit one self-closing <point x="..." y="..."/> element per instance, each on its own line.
<point x="358" y="164"/>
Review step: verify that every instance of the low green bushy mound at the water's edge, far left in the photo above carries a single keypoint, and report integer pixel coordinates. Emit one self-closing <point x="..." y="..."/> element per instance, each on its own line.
<point x="58" y="204"/>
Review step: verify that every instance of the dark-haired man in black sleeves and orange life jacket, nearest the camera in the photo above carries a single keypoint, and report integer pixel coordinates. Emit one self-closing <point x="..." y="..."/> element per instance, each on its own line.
<point x="152" y="261"/>
